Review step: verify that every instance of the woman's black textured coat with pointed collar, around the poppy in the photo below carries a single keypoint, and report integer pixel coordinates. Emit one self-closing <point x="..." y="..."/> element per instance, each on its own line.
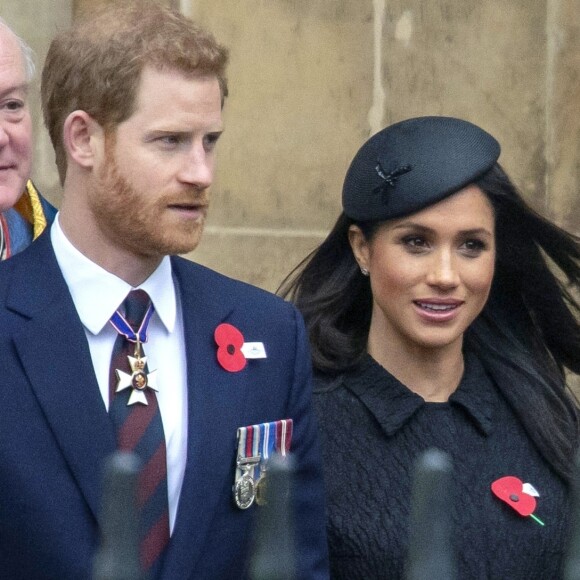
<point x="373" y="428"/>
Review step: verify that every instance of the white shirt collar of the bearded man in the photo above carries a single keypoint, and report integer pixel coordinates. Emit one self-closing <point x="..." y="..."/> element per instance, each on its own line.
<point x="97" y="293"/>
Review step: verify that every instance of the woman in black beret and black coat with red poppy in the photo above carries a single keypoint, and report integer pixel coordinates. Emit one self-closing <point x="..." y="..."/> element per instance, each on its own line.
<point x="441" y="314"/>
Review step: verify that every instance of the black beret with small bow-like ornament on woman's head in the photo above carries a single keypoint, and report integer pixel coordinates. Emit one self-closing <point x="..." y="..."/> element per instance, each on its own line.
<point x="413" y="164"/>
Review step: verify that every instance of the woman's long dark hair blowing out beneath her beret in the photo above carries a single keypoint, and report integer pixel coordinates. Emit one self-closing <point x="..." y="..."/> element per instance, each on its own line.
<point x="527" y="336"/>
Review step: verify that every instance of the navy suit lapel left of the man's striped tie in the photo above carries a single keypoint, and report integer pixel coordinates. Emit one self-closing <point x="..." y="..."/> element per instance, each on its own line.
<point x="53" y="349"/>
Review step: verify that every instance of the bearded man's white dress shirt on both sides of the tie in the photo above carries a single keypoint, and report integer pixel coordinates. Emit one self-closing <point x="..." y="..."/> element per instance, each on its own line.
<point x="96" y="294"/>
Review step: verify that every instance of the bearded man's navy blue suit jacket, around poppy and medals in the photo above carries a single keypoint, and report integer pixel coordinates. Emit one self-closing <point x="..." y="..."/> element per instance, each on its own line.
<point x="55" y="431"/>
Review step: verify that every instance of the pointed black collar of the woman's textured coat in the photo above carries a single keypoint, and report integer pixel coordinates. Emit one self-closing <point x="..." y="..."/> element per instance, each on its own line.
<point x="393" y="404"/>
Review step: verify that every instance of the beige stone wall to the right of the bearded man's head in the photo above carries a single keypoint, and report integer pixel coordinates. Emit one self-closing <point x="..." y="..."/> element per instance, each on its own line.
<point x="310" y="80"/>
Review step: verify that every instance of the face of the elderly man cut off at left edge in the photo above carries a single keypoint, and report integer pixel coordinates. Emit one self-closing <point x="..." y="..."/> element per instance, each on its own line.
<point x="15" y="124"/>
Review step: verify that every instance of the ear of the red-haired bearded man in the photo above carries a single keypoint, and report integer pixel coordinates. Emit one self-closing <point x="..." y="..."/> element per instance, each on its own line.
<point x="83" y="138"/>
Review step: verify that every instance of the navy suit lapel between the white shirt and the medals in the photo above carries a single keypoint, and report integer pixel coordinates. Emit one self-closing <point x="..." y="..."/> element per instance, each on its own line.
<point x="215" y="399"/>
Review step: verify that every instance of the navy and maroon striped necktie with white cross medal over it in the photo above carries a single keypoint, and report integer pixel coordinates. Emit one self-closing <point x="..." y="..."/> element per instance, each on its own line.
<point x="135" y="414"/>
